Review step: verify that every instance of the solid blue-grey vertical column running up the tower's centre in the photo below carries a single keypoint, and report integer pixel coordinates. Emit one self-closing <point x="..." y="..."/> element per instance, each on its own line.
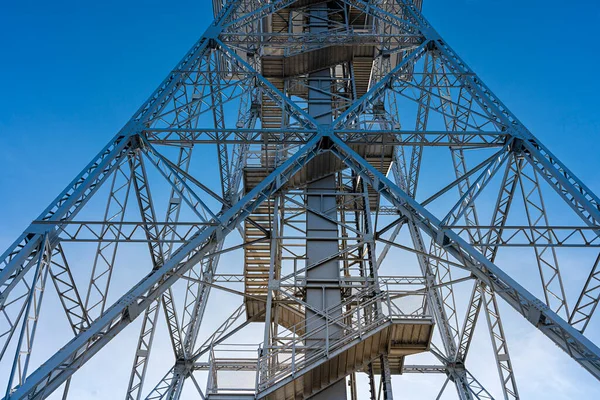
<point x="322" y="282"/>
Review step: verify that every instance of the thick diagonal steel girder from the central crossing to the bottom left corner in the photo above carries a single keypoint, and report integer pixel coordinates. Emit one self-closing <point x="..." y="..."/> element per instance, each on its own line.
<point x="63" y="364"/>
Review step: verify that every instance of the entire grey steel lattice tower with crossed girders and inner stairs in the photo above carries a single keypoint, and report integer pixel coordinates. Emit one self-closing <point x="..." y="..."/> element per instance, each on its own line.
<point x="319" y="117"/>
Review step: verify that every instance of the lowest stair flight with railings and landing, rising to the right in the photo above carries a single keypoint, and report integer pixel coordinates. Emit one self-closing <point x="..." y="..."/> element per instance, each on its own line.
<point x="368" y="327"/>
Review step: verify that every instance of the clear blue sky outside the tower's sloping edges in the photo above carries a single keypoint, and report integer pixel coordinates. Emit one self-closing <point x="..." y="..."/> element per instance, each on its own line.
<point x="74" y="72"/>
